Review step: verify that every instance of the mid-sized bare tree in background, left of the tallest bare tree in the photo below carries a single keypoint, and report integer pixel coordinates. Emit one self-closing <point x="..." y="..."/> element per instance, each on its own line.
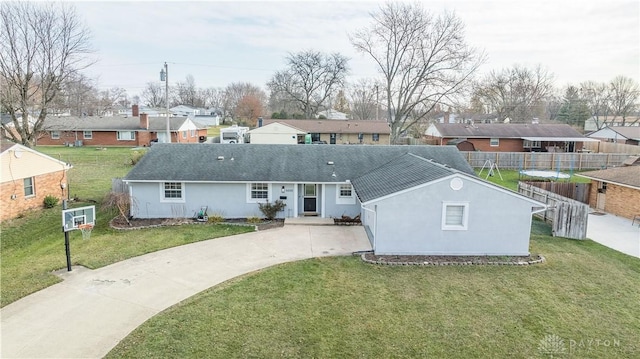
<point x="310" y="79"/>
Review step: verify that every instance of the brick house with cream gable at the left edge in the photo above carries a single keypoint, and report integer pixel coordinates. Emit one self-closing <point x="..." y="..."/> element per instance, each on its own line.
<point x="27" y="177"/>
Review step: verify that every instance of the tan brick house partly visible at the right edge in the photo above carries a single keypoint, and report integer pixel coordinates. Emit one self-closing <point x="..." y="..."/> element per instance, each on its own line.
<point x="615" y="190"/>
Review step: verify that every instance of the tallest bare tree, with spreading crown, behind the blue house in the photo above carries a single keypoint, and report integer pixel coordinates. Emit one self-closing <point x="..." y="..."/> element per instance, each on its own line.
<point x="423" y="58"/>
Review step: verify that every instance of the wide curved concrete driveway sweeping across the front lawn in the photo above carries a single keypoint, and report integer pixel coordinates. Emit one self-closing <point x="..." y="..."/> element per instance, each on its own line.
<point x="88" y="313"/>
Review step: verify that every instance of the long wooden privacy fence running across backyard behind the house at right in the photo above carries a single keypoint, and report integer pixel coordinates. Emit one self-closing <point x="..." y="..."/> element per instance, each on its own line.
<point x="546" y="160"/>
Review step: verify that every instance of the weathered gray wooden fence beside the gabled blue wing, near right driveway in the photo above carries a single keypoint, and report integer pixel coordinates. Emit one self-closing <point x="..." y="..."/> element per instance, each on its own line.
<point x="568" y="217"/>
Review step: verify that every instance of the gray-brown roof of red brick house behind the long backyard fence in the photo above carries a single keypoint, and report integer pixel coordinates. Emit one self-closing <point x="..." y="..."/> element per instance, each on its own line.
<point x="511" y="130"/>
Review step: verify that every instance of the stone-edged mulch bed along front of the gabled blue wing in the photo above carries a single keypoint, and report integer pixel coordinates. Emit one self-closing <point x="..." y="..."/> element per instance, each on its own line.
<point x="452" y="260"/>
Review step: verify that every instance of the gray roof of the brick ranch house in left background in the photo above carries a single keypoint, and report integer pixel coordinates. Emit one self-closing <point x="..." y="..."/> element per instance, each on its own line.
<point x="109" y="123"/>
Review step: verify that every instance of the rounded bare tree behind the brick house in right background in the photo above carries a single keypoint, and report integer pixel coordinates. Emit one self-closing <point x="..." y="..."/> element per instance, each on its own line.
<point x="517" y="93"/>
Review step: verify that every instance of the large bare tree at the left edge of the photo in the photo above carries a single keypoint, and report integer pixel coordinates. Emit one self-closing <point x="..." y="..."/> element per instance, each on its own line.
<point x="41" y="46"/>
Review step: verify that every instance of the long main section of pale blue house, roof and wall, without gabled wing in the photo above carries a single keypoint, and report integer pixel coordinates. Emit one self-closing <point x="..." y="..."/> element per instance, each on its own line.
<point x="177" y="180"/>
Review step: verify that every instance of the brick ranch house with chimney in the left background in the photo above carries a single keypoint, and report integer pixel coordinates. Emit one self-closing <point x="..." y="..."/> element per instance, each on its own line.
<point x="123" y="131"/>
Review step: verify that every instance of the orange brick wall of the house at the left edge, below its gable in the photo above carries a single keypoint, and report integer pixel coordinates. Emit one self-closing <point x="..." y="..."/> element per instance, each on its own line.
<point x="44" y="185"/>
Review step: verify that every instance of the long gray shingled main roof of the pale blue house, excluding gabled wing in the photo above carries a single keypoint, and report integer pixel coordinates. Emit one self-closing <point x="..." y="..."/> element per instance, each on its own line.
<point x="271" y="163"/>
